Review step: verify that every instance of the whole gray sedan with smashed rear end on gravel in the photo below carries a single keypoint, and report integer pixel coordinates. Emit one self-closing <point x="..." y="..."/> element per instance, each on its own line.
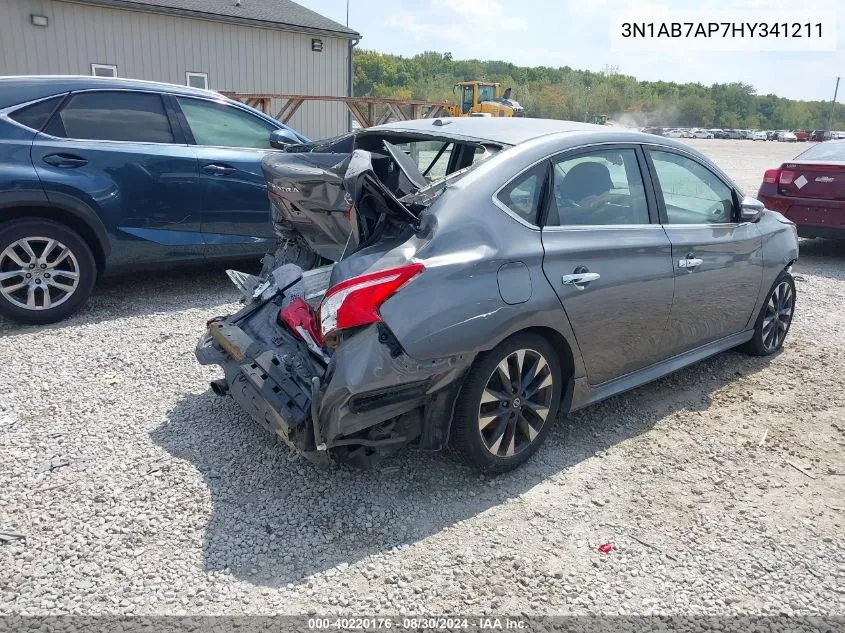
<point x="546" y="266"/>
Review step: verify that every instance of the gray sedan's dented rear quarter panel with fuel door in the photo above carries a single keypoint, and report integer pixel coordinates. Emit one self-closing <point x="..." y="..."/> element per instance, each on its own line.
<point x="455" y="307"/>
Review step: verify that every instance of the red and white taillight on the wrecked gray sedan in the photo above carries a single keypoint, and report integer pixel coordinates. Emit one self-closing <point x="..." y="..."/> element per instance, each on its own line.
<point x="356" y="301"/>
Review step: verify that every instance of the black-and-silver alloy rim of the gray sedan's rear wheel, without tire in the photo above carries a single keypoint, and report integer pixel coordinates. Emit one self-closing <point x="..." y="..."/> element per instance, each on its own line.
<point x="515" y="403"/>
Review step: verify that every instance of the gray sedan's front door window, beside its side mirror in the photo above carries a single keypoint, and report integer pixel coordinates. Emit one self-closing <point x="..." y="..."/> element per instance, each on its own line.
<point x="692" y="194"/>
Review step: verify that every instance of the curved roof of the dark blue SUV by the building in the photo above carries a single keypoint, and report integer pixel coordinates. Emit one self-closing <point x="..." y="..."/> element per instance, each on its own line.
<point x="25" y="88"/>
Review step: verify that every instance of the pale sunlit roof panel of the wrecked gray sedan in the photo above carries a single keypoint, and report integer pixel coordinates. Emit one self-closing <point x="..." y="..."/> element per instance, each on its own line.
<point x="499" y="130"/>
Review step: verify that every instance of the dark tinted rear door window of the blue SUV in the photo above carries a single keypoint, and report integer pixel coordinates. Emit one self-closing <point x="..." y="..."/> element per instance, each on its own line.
<point x="113" y="116"/>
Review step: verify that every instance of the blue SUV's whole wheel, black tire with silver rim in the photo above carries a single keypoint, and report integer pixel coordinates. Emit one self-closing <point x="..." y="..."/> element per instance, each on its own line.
<point x="47" y="271"/>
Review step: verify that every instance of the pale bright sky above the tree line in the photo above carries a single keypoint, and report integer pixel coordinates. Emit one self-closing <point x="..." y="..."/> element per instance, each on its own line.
<point x="577" y="33"/>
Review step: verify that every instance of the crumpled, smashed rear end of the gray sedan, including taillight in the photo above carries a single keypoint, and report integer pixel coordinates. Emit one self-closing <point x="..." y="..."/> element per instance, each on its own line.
<point x="309" y="356"/>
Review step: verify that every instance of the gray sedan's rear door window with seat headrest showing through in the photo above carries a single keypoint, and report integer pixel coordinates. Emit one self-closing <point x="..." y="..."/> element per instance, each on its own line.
<point x="598" y="188"/>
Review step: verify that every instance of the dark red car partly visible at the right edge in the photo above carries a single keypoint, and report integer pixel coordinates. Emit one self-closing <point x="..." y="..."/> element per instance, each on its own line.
<point x="810" y="190"/>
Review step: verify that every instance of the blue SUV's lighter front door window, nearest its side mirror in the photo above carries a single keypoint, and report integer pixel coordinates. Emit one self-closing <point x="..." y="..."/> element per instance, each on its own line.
<point x="221" y="125"/>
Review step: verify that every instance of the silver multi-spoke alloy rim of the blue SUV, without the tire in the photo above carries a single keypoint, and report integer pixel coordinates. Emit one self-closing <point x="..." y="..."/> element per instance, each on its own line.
<point x="38" y="273"/>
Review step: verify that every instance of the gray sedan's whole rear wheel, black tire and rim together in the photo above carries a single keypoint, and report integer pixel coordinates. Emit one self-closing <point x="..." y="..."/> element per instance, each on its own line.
<point x="507" y="404"/>
